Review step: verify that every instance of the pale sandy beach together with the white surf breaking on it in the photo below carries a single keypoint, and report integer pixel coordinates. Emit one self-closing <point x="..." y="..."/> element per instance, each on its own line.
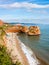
<point x="18" y="51"/>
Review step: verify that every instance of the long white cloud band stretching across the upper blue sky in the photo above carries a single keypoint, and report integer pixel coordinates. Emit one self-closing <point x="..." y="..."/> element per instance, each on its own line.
<point x="23" y="5"/>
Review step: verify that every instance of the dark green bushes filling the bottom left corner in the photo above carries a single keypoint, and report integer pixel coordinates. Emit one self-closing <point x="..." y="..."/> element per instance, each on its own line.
<point x="4" y="57"/>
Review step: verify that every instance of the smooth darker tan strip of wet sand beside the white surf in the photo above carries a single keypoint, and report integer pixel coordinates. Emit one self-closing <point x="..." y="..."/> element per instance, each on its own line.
<point x="24" y="59"/>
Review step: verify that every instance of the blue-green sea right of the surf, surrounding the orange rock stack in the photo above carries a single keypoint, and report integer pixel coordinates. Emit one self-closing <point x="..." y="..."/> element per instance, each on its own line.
<point x="39" y="44"/>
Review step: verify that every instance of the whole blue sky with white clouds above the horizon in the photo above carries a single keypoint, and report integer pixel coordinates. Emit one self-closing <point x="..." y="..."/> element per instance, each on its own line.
<point x="26" y="10"/>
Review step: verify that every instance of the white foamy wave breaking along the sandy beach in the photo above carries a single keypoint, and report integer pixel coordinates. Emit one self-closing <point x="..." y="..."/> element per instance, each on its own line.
<point x="29" y="54"/>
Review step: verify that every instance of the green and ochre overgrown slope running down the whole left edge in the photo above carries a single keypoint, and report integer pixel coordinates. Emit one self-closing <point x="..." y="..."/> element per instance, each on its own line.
<point x="4" y="57"/>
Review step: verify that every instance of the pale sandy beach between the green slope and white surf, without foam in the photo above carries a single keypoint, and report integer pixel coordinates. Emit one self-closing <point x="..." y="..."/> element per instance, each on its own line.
<point x="14" y="48"/>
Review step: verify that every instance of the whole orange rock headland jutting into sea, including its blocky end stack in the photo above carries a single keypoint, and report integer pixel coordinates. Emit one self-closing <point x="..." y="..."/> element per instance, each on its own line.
<point x="32" y="30"/>
